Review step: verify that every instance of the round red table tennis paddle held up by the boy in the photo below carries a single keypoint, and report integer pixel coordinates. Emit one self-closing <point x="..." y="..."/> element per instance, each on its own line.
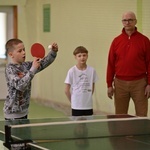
<point x="37" y="50"/>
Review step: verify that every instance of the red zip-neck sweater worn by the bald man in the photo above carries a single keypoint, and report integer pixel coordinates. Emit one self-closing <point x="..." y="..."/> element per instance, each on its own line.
<point x="129" y="58"/>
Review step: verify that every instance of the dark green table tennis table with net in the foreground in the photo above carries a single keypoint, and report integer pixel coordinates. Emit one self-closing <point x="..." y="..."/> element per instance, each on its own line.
<point x="104" y="132"/>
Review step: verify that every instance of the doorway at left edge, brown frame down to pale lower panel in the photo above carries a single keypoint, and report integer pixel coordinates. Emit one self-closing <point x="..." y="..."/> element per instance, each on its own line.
<point x="8" y="26"/>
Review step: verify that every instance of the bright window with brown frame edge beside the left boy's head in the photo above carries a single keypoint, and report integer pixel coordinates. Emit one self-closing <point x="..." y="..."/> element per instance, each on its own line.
<point x="8" y="28"/>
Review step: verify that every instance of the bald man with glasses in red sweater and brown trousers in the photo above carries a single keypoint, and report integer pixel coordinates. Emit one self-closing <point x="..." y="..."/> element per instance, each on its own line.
<point x="128" y="69"/>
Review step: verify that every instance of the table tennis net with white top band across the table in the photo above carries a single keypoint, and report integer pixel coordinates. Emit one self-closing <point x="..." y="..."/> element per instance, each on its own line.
<point x="80" y="129"/>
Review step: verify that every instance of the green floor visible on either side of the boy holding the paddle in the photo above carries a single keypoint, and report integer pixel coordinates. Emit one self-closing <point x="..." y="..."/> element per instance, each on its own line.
<point x="37" y="111"/>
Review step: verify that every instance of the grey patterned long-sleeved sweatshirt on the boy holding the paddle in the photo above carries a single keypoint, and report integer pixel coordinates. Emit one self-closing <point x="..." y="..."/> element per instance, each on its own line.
<point x="18" y="78"/>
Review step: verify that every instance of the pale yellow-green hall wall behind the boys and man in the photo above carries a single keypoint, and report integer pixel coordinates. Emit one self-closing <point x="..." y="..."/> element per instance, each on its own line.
<point x="89" y="23"/>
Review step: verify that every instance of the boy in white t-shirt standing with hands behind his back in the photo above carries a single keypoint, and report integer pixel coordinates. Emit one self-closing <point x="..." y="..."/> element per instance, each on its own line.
<point x="80" y="83"/>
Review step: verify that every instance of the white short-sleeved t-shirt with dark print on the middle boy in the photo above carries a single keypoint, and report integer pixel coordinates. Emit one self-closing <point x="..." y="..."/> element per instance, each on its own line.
<point x="81" y="82"/>
